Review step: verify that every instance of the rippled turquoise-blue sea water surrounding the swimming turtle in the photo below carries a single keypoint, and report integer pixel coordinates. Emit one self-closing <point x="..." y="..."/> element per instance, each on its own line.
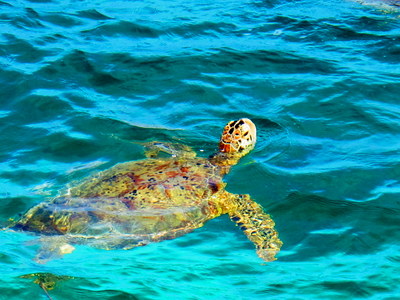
<point x="83" y="83"/>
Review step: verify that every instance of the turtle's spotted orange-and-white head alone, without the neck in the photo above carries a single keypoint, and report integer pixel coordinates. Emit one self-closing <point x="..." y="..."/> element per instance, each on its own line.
<point x="238" y="137"/>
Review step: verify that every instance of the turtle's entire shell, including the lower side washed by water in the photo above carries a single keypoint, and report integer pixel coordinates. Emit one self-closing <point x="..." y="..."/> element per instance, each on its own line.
<point x="133" y="203"/>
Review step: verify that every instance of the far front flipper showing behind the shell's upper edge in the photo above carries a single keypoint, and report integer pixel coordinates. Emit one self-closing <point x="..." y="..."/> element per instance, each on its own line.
<point x="153" y="149"/>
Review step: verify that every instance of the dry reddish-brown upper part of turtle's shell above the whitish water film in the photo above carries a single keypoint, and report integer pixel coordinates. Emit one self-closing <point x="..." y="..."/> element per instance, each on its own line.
<point x="155" y="183"/>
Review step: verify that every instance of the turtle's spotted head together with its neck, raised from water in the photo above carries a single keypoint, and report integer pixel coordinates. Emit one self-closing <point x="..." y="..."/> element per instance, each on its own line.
<point x="238" y="139"/>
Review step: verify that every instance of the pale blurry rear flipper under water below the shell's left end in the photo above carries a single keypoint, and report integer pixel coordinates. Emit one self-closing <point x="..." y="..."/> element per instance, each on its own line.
<point x="52" y="247"/>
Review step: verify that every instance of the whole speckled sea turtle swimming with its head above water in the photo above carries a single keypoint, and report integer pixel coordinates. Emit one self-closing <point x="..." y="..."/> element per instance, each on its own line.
<point x="158" y="198"/>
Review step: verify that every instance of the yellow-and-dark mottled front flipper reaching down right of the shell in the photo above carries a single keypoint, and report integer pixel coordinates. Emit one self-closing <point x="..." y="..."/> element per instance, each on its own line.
<point x="257" y="225"/>
